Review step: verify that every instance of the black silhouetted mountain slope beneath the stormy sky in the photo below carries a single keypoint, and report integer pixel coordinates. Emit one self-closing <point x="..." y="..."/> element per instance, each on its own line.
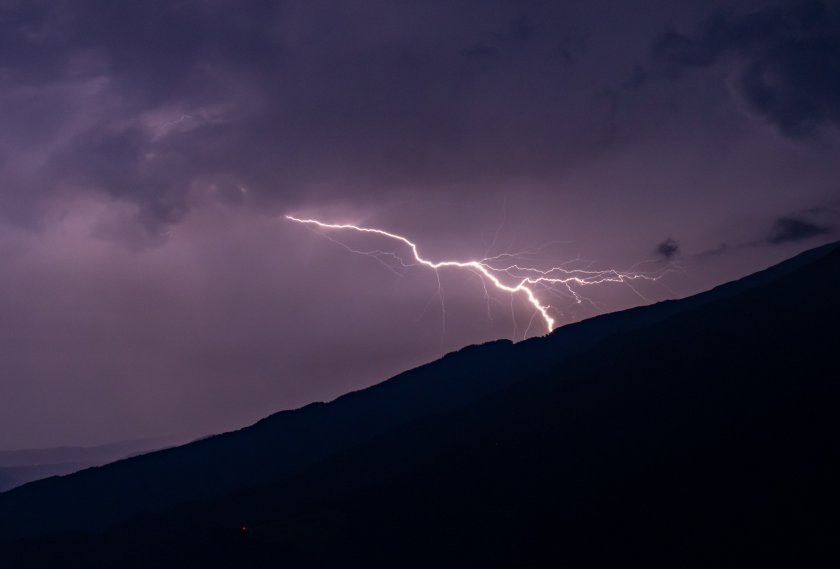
<point x="694" y="433"/>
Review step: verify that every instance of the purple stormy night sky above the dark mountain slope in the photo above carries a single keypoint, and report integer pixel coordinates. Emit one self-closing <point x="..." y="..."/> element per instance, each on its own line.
<point x="150" y="285"/>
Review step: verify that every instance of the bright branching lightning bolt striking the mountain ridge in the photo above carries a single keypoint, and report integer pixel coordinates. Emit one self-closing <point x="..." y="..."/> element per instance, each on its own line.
<point x="513" y="278"/>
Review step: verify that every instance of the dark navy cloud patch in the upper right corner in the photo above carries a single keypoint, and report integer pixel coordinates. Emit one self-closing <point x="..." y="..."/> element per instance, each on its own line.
<point x="787" y="59"/>
